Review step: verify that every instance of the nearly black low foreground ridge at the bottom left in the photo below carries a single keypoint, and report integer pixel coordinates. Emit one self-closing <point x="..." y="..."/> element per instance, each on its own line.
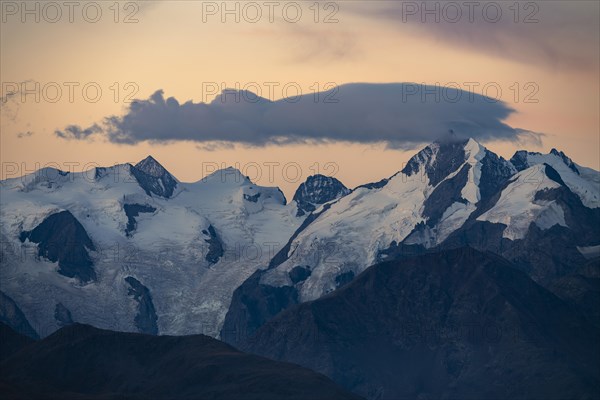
<point x="80" y="361"/>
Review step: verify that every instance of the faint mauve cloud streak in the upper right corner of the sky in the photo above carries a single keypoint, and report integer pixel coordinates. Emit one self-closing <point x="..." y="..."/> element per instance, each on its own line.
<point x="555" y="34"/>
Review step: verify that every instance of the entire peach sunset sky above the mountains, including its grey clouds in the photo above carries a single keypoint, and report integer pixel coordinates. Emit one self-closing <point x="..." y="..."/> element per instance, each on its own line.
<point x="543" y="56"/>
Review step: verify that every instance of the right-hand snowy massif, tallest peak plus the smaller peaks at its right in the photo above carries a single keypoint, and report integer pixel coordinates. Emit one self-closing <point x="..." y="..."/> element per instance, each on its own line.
<point x="538" y="213"/>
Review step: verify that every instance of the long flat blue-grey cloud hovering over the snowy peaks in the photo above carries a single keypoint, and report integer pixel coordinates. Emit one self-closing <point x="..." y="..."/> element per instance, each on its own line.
<point x="402" y="115"/>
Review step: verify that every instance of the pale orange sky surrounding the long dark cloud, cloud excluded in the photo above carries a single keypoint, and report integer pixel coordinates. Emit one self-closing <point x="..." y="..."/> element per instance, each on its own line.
<point x="172" y="48"/>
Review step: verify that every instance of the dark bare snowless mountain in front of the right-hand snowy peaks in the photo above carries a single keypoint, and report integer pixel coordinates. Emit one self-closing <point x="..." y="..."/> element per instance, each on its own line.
<point x="455" y="324"/>
